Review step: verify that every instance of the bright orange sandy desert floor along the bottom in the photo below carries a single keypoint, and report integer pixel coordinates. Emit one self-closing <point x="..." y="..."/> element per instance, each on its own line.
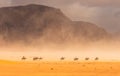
<point x="60" y="68"/>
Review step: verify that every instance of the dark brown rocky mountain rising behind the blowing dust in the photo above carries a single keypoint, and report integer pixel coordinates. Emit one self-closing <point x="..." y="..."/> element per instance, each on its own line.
<point x="44" y="23"/>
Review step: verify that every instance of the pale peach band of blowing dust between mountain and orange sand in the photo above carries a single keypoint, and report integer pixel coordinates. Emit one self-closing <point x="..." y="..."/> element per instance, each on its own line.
<point x="106" y="50"/>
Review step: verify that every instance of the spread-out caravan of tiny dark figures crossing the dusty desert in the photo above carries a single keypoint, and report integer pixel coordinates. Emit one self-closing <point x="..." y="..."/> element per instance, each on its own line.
<point x="62" y="58"/>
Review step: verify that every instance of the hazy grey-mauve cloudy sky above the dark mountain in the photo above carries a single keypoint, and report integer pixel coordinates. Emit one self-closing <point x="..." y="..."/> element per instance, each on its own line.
<point x="105" y="13"/>
